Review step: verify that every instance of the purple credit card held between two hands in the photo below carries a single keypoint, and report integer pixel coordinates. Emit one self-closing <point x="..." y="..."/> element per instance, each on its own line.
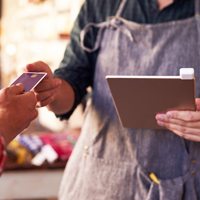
<point x="30" y="79"/>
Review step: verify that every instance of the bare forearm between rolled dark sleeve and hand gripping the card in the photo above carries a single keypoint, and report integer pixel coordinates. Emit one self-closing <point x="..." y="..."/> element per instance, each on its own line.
<point x="64" y="99"/>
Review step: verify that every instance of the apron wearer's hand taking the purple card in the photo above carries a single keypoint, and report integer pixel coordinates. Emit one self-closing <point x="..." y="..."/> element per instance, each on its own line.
<point x="47" y="89"/>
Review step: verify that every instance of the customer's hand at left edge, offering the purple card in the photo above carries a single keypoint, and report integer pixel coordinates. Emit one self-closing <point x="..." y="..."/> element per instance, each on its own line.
<point x="17" y="110"/>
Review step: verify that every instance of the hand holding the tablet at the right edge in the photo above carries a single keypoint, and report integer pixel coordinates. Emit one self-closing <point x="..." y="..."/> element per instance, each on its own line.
<point x="185" y="124"/>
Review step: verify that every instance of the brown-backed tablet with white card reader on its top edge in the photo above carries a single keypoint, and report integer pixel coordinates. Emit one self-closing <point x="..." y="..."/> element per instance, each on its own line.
<point x="139" y="98"/>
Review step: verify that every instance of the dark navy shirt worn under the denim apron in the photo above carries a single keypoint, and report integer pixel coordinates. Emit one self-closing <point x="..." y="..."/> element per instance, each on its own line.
<point x="77" y="66"/>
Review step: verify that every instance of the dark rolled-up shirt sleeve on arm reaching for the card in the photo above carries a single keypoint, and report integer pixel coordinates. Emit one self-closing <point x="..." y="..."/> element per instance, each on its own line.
<point x="77" y="66"/>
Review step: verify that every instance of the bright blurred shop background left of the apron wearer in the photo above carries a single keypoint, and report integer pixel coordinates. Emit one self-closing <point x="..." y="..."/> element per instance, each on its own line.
<point x="33" y="30"/>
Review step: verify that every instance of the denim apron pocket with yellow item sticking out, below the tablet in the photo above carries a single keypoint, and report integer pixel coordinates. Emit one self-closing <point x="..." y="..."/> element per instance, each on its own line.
<point x="178" y="188"/>
